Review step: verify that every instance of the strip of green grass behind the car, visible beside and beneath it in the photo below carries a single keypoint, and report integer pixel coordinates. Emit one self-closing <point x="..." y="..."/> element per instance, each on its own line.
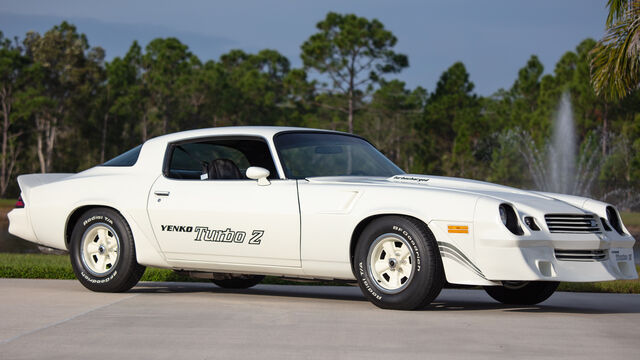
<point x="41" y="266"/>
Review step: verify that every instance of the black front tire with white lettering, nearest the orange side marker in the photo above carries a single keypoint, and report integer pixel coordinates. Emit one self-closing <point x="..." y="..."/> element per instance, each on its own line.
<point x="426" y="277"/>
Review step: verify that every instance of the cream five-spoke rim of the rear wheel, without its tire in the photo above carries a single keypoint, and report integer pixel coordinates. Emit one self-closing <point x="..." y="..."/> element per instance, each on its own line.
<point x="100" y="249"/>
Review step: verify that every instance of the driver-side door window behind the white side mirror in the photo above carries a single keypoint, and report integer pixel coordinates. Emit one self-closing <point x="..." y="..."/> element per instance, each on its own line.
<point x="218" y="159"/>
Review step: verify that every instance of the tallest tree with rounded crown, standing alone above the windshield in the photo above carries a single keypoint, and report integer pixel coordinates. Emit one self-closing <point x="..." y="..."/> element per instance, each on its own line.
<point x="354" y="52"/>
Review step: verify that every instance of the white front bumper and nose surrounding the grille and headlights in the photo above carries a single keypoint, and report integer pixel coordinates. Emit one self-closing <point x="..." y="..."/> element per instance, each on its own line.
<point x="543" y="255"/>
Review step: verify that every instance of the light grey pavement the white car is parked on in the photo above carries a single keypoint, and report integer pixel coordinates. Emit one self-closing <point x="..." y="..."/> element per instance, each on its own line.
<point x="59" y="319"/>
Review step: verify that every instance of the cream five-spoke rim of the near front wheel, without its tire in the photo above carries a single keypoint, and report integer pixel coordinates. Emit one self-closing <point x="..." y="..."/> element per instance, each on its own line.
<point x="391" y="263"/>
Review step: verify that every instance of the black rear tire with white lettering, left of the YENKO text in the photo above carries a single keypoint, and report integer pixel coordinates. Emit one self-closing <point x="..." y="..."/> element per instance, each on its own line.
<point x="122" y="274"/>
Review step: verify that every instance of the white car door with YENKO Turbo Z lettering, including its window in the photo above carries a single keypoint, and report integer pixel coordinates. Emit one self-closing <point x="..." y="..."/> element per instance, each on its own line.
<point x="228" y="219"/>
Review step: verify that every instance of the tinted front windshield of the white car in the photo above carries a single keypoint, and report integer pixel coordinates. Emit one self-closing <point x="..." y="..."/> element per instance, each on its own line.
<point x="309" y="154"/>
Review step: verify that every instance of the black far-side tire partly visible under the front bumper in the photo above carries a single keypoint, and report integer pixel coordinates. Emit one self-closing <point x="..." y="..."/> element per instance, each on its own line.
<point x="530" y="293"/>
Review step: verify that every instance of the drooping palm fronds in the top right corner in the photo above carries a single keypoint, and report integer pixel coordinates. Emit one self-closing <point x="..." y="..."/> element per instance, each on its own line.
<point x="615" y="63"/>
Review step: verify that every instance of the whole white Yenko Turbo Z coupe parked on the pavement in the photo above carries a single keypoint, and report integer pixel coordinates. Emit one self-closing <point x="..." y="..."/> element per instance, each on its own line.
<point x="234" y="204"/>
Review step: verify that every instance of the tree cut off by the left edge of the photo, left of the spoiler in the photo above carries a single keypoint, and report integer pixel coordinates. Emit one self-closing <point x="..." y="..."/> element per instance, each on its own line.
<point x="12" y="64"/>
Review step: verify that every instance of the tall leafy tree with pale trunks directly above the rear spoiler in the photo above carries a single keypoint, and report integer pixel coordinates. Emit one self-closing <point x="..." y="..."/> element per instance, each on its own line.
<point x="66" y="74"/>
